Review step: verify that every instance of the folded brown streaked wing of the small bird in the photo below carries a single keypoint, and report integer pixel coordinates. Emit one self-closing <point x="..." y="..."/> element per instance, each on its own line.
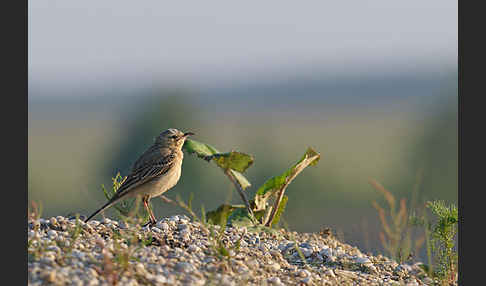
<point x="153" y="168"/>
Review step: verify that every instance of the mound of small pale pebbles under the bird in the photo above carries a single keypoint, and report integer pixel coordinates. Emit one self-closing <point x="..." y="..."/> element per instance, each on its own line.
<point x="178" y="251"/>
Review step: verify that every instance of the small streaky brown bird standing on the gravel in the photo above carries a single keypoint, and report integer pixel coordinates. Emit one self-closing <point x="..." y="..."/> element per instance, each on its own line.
<point x="156" y="171"/>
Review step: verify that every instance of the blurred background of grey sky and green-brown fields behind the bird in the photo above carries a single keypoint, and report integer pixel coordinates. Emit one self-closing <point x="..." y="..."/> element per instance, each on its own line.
<point x="371" y="85"/>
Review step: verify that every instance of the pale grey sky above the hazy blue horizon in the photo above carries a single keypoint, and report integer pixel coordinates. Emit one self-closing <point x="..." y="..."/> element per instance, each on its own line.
<point x="202" y="42"/>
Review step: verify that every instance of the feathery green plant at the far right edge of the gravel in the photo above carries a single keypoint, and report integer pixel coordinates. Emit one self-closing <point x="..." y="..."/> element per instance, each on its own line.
<point x="441" y="237"/>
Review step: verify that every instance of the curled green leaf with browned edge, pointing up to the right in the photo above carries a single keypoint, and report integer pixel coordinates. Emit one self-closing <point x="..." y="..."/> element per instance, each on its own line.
<point x="278" y="184"/>
